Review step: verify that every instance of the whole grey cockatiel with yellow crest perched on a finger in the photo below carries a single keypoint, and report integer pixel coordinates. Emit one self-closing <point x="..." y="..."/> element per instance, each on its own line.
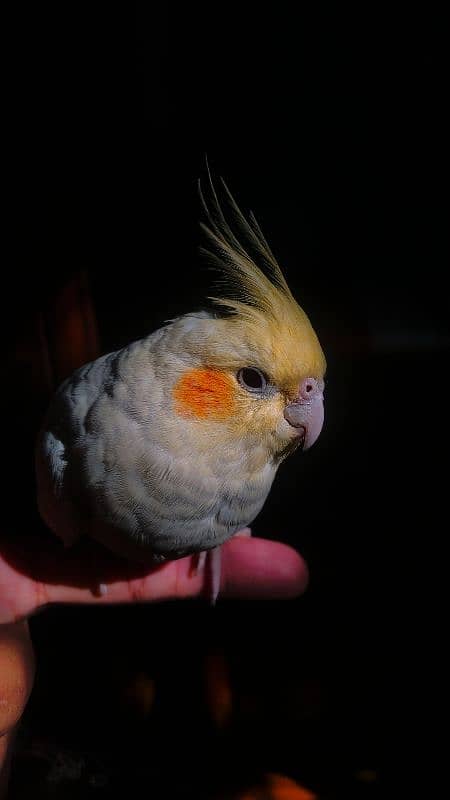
<point x="169" y="446"/>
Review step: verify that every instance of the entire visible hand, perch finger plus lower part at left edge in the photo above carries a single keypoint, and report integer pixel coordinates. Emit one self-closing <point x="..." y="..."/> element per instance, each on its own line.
<point x="37" y="574"/>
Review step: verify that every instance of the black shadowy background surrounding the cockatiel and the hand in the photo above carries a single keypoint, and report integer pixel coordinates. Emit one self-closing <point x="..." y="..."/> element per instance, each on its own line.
<point x="329" y="125"/>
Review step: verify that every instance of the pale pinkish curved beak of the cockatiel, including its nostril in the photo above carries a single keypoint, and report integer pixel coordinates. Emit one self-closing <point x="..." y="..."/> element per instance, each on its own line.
<point x="306" y="412"/>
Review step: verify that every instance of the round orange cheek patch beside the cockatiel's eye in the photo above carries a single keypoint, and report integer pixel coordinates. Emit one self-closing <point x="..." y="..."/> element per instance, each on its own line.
<point x="205" y="393"/>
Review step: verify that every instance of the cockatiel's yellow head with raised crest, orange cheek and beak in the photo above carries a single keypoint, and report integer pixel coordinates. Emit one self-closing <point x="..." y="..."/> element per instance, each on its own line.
<point x="255" y="366"/>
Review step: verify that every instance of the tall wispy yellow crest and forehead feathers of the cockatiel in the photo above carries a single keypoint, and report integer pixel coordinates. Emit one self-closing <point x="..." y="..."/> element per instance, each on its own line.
<point x="256" y="294"/>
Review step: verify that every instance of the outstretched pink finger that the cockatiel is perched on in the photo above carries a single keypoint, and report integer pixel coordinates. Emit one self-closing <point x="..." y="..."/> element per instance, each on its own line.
<point x="38" y="571"/>
